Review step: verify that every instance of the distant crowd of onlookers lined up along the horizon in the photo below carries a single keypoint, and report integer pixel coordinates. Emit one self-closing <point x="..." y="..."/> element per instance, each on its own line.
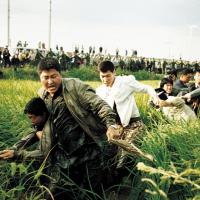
<point x="22" y="55"/>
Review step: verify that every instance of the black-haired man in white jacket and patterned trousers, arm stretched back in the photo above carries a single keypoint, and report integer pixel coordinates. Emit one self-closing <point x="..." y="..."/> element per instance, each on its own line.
<point x="118" y="91"/>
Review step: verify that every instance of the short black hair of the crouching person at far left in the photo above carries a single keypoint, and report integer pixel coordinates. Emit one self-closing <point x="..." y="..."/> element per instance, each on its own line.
<point x="35" y="106"/>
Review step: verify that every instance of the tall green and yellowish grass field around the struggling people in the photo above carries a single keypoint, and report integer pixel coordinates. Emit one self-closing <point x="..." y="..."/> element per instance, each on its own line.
<point x="174" y="174"/>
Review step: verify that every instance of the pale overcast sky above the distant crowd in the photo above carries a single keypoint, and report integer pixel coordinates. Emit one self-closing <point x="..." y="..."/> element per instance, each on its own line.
<point x="155" y="28"/>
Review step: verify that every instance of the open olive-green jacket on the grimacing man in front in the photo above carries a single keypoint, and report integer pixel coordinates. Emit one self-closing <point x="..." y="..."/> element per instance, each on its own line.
<point x="92" y="113"/>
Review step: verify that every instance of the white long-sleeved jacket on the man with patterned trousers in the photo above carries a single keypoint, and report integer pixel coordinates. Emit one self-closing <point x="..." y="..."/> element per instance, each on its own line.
<point x="121" y="93"/>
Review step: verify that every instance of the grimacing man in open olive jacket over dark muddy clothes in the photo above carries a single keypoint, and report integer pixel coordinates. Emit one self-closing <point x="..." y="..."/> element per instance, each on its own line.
<point x="81" y="125"/>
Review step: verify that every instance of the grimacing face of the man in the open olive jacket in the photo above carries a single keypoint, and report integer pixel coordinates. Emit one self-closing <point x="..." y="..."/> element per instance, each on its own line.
<point x="51" y="80"/>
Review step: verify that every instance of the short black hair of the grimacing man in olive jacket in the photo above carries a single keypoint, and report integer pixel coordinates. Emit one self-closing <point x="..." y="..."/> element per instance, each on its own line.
<point x="47" y="64"/>
